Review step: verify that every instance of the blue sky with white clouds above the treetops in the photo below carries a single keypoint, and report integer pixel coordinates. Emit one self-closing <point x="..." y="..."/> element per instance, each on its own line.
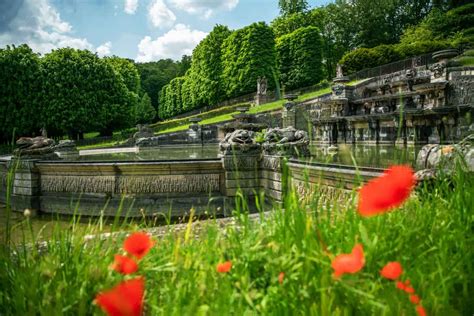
<point x="143" y="30"/>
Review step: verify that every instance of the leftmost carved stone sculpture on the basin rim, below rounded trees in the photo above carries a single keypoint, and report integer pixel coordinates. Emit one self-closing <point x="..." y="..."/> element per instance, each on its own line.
<point x="37" y="147"/>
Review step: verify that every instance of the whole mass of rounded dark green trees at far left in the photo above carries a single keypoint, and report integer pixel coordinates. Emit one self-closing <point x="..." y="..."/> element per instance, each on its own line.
<point x="67" y="91"/>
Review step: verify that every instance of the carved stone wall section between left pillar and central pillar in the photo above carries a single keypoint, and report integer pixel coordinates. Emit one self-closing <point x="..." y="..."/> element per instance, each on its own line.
<point x="137" y="188"/>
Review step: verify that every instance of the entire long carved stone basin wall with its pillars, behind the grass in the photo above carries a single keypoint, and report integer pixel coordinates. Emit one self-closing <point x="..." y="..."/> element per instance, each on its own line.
<point x="169" y="188"/>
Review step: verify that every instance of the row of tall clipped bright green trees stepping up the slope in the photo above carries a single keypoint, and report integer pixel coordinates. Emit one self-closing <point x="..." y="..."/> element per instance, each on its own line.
<point x="224" y="65"/>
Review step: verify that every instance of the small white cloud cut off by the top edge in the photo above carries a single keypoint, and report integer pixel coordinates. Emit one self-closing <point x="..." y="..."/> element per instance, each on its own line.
<point x="205" y="7"/>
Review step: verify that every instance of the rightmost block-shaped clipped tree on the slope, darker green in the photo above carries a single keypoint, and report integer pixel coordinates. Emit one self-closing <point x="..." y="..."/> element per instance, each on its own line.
<point x="299" y="58"/>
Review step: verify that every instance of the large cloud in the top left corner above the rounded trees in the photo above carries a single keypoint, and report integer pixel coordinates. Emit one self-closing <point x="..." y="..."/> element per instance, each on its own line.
<point x="39" y="25"/>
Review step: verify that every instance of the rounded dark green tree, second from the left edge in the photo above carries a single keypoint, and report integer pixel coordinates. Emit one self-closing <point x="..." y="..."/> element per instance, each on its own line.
<point x="83" y="94"/>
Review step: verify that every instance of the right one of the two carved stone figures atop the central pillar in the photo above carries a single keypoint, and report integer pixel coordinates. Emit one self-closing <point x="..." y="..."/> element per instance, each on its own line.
<point x="286" y="142"/>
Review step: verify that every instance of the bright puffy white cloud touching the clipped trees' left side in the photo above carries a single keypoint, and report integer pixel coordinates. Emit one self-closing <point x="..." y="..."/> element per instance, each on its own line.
<point x="177" y="42"/>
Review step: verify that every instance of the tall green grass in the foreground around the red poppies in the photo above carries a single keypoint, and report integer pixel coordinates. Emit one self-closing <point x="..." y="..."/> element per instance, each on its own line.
<point x="431" y="235"/>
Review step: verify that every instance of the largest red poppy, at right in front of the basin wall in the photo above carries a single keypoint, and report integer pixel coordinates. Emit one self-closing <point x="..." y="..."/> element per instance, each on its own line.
<point x="387" y="191"/>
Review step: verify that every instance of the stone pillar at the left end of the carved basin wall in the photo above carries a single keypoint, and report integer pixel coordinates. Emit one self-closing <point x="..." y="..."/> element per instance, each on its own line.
<point x="26" y="184"/>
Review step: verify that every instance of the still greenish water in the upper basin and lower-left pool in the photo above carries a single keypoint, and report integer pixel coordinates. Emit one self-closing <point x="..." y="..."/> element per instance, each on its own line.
<point x="44" y="226"/>
